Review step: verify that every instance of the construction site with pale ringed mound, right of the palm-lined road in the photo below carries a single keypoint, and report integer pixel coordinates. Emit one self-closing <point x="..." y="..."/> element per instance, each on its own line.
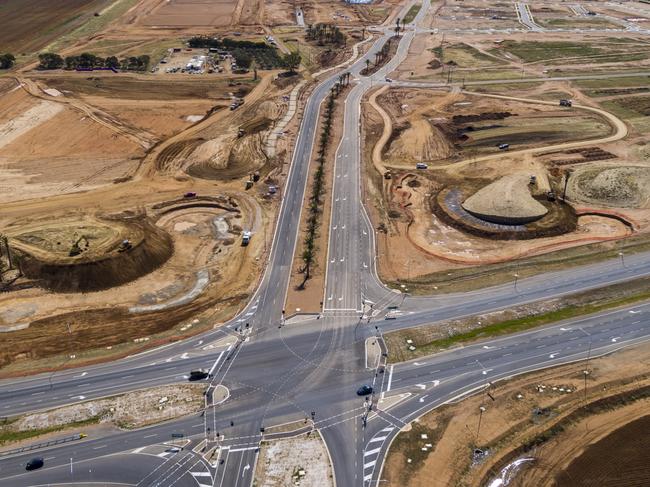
<point x="500" y="171"/>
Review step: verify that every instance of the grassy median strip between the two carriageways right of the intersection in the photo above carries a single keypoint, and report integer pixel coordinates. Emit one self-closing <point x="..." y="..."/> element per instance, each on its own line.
<point x="508" y="327"/>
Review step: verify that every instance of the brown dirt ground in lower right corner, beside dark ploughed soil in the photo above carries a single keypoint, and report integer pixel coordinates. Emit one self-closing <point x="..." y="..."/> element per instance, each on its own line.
<point x="523" y="408"/>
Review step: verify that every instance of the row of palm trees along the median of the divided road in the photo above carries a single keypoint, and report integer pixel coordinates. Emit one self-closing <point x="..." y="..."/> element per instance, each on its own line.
<point x="318" y="185"/>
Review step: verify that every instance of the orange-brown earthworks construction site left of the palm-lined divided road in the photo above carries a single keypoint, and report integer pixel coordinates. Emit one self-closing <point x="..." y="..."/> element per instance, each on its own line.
<point x="158" y="210"/>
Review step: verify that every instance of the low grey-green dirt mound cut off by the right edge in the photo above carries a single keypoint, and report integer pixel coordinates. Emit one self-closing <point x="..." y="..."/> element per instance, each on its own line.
<point x="614" y="186"/>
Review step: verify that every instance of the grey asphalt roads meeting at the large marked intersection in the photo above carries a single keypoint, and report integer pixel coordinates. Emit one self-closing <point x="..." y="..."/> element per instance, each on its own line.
<point x="278" y="372"/>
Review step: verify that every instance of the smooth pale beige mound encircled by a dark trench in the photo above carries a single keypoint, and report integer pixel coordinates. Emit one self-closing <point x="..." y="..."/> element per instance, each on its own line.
<point x="506" y="201"/>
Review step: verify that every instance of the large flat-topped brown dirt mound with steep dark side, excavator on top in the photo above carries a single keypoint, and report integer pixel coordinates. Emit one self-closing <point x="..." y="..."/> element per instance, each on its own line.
<point x="49" y="255"/>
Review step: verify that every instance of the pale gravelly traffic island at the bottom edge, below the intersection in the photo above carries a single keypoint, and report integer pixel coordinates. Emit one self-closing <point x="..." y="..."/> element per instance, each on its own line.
<point x="299" y="461"/>
